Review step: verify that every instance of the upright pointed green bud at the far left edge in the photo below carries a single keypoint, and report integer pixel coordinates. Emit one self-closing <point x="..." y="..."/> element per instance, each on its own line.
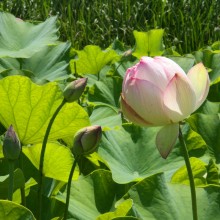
<point x="11" y="144"/>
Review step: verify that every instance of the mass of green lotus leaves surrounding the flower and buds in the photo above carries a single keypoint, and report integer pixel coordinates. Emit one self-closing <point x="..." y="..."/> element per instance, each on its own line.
<point x="126" y="178"/>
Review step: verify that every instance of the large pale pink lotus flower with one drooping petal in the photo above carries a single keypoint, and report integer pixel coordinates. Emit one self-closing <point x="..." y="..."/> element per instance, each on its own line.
<point x="157" y="92"/>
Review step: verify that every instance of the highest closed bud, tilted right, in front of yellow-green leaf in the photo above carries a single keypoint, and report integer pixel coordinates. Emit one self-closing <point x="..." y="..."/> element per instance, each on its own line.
<point x="74" y="90"/>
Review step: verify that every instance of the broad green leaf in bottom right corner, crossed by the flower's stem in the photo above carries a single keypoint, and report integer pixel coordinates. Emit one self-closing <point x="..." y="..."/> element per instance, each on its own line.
<point x="154" y="199"/>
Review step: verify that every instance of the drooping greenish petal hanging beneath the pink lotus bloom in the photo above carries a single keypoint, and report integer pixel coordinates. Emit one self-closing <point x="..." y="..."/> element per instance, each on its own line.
<point x="166" y="138"/>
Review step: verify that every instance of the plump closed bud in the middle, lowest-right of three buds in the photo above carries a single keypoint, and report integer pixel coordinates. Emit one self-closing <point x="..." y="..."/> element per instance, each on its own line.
<point x="86" y="140"/>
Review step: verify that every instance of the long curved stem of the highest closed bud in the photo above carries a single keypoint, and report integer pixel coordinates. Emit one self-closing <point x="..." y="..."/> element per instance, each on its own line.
<point x="40" y="183"/>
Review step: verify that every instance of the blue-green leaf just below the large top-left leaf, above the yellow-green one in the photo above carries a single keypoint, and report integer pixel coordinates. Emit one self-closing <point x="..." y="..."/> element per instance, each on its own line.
<point x="46" y="65"/>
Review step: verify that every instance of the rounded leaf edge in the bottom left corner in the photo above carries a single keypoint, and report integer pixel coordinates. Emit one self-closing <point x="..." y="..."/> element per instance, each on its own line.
<point x="10" y="210"/>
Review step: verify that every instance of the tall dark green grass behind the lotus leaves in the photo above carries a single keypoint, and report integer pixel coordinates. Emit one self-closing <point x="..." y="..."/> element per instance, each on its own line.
<point x="189" y="25"/>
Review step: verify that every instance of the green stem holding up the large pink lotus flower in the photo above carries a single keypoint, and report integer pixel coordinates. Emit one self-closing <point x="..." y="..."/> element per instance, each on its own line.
<point x="190" y="174"/>
